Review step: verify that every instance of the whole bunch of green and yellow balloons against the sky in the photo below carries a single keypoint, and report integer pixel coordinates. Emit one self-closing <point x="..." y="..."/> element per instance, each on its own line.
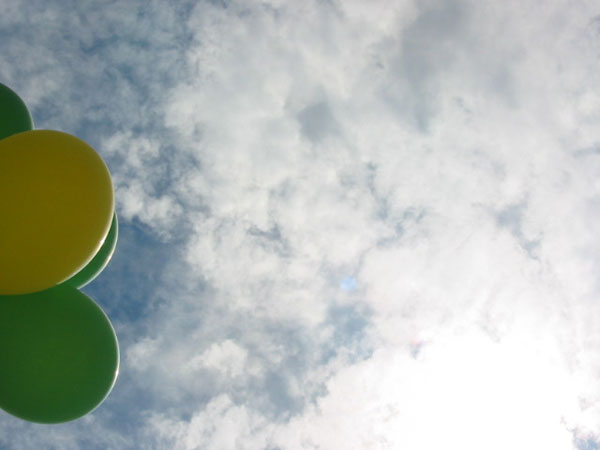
<point x="59" y="355"/>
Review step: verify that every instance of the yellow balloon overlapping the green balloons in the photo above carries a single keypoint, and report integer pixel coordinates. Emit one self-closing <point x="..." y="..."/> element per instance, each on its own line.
<point x="56" y="206"/>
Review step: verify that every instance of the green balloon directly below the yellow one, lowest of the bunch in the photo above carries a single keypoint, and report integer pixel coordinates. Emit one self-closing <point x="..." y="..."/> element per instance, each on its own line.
<point x="59" y="355"/>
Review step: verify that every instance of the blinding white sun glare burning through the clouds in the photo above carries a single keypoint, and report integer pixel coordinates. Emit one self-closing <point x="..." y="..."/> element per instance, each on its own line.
<point x="470" y="392"/>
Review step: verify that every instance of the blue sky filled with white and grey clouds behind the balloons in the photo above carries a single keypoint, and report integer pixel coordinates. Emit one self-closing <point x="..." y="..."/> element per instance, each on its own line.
<point x="344" y="224"/>
